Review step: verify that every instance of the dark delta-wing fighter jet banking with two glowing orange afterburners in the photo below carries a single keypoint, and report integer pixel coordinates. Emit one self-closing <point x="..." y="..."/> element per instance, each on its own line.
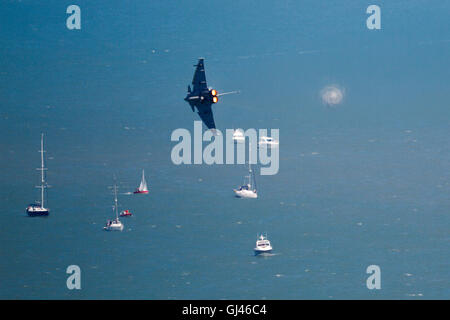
<point x="203" y="97"/>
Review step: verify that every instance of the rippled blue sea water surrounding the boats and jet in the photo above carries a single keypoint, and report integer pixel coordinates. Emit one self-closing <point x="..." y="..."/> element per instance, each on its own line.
<point x="364" y="182"/>
